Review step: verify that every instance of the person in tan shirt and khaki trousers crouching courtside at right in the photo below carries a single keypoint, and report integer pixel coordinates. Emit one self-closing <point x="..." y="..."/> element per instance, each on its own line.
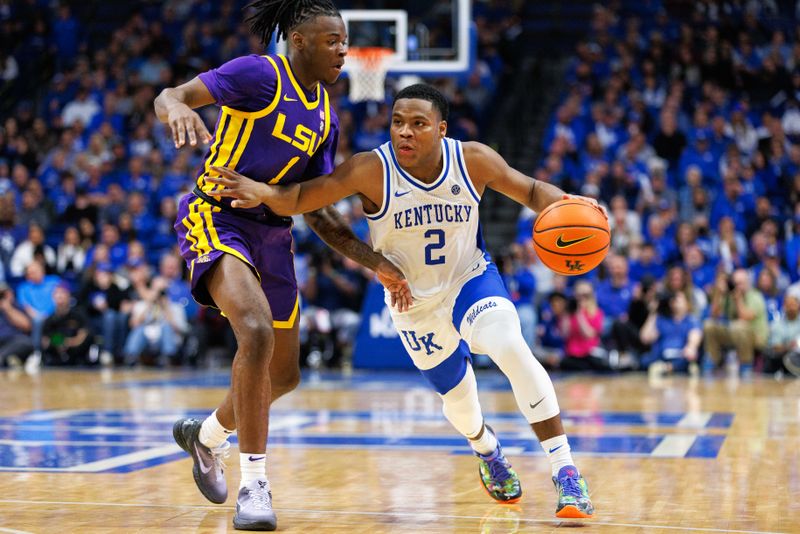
<point x="738" y="320"/>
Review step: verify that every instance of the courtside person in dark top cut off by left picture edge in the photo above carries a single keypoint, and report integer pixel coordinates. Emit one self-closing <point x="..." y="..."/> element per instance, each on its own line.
<point x="15" y="326"/>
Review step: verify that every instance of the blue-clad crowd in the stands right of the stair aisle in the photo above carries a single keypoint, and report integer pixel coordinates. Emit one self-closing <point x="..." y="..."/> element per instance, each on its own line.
<point x="686" y="126"/>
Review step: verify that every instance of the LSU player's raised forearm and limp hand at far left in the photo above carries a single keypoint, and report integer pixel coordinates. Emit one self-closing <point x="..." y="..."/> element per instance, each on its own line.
<point x="174" y="106"/>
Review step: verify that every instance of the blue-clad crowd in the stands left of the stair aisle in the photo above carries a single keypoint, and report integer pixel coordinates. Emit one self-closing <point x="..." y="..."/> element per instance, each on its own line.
<point x="89" y="180"/>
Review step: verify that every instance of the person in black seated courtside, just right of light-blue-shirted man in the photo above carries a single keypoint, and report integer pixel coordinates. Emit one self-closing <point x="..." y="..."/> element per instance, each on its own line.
<point x="66" y="337"/>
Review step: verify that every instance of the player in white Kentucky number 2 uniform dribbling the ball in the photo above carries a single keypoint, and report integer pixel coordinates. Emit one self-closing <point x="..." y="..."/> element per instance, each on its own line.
<point x="421" y="193"/>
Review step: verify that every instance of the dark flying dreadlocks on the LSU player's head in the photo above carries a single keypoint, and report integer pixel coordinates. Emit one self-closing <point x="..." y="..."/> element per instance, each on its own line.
<point x="285" y="15"/>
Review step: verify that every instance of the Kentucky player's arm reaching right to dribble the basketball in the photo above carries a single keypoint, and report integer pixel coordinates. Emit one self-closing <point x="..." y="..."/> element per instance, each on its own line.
<point x="487" y="168"/>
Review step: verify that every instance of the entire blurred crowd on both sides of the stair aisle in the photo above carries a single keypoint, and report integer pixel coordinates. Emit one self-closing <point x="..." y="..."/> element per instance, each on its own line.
<point x="683" y="118"/>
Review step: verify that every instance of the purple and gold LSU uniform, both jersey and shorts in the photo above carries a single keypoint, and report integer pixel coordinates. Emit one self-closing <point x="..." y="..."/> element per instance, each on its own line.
<point x="273" y="130"/>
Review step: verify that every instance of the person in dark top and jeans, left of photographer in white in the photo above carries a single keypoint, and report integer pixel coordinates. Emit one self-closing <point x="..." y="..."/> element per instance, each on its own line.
<point x="108" y="307"/>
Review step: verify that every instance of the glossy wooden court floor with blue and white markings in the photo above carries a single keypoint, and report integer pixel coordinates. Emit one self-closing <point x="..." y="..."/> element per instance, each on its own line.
<point x="91" y="451"/>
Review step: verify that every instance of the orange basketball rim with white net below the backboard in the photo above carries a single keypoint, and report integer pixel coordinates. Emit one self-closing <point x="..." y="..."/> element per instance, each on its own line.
<point x="367" y="67"/>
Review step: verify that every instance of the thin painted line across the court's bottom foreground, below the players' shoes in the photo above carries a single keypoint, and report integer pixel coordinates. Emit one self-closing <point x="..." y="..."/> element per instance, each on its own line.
<point x="410" y="515"/>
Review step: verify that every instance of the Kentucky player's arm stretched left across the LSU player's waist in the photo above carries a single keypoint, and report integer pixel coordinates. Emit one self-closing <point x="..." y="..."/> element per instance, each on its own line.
<point x="361" y="174"/>
